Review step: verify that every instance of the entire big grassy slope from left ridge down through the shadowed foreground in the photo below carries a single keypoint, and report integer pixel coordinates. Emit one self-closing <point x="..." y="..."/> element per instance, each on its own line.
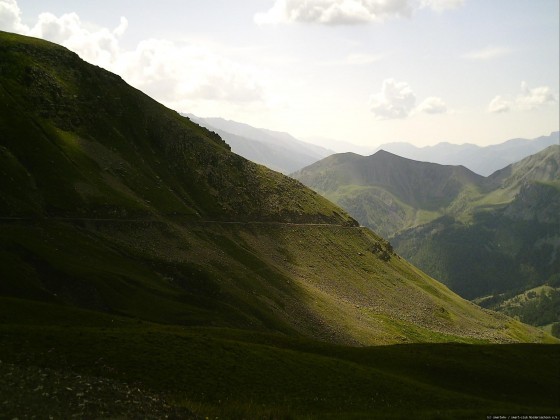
<point x="137" y="251"/>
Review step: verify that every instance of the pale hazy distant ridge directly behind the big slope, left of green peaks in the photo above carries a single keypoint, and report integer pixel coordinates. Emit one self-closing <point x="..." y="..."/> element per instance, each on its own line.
<point x="277" y="150"/>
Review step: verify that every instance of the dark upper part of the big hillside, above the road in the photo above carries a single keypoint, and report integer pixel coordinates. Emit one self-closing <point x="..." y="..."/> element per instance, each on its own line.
<point x="79" y="160"/>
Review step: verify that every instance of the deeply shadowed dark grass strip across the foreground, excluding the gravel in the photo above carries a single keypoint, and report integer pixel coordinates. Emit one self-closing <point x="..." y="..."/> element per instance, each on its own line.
<point x="230" y="373"/>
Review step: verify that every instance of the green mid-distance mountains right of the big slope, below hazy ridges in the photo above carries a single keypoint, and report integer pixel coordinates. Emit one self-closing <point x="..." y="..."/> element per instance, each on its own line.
<point x="479" y="235"/>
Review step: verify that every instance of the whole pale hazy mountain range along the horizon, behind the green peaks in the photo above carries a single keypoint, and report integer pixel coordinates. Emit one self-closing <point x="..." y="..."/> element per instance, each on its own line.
<point x="284" y="153"/>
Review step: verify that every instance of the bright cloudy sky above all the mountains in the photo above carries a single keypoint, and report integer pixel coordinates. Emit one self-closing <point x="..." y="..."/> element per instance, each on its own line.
<point x="365" y="72"/>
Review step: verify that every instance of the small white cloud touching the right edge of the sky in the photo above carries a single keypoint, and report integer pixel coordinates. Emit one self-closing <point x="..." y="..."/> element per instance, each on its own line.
<point x="529" y="99"/>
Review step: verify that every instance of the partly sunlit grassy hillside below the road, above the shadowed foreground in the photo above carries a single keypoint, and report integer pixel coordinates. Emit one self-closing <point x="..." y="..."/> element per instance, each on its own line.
<point x="318" y="281"/>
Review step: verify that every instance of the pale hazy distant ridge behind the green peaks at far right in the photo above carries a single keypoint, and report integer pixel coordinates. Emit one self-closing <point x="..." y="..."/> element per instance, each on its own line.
<point x="482" y="160"/>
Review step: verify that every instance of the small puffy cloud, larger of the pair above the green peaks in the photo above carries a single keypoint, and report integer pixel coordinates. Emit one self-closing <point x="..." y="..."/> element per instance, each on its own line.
<point x="396" y="100"/>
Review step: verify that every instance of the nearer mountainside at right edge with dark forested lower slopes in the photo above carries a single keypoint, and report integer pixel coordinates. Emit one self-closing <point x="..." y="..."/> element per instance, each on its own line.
<point x="513" y="242"/>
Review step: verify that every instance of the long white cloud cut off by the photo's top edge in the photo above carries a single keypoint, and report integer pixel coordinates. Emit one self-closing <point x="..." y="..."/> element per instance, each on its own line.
<point x="341" y="12"/>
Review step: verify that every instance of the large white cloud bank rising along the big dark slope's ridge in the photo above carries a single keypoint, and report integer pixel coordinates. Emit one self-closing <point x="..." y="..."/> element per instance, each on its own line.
<point x="169" y="71"/>
